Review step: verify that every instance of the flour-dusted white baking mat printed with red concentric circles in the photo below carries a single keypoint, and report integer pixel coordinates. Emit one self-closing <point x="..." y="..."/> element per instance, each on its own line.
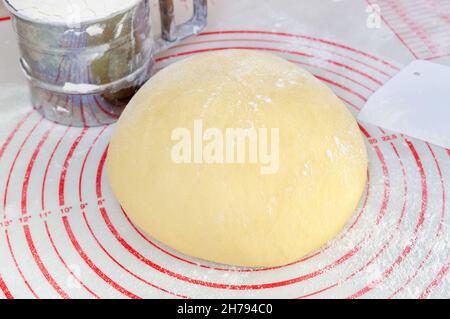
<point x="63" y="235"/>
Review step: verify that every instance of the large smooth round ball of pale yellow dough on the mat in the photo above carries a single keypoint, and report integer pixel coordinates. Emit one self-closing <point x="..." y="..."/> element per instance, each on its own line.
<point x="231" y="213"/>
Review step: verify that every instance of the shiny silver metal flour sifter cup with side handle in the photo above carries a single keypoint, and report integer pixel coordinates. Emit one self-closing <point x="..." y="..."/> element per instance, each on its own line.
<point x="85" y="73"/>
